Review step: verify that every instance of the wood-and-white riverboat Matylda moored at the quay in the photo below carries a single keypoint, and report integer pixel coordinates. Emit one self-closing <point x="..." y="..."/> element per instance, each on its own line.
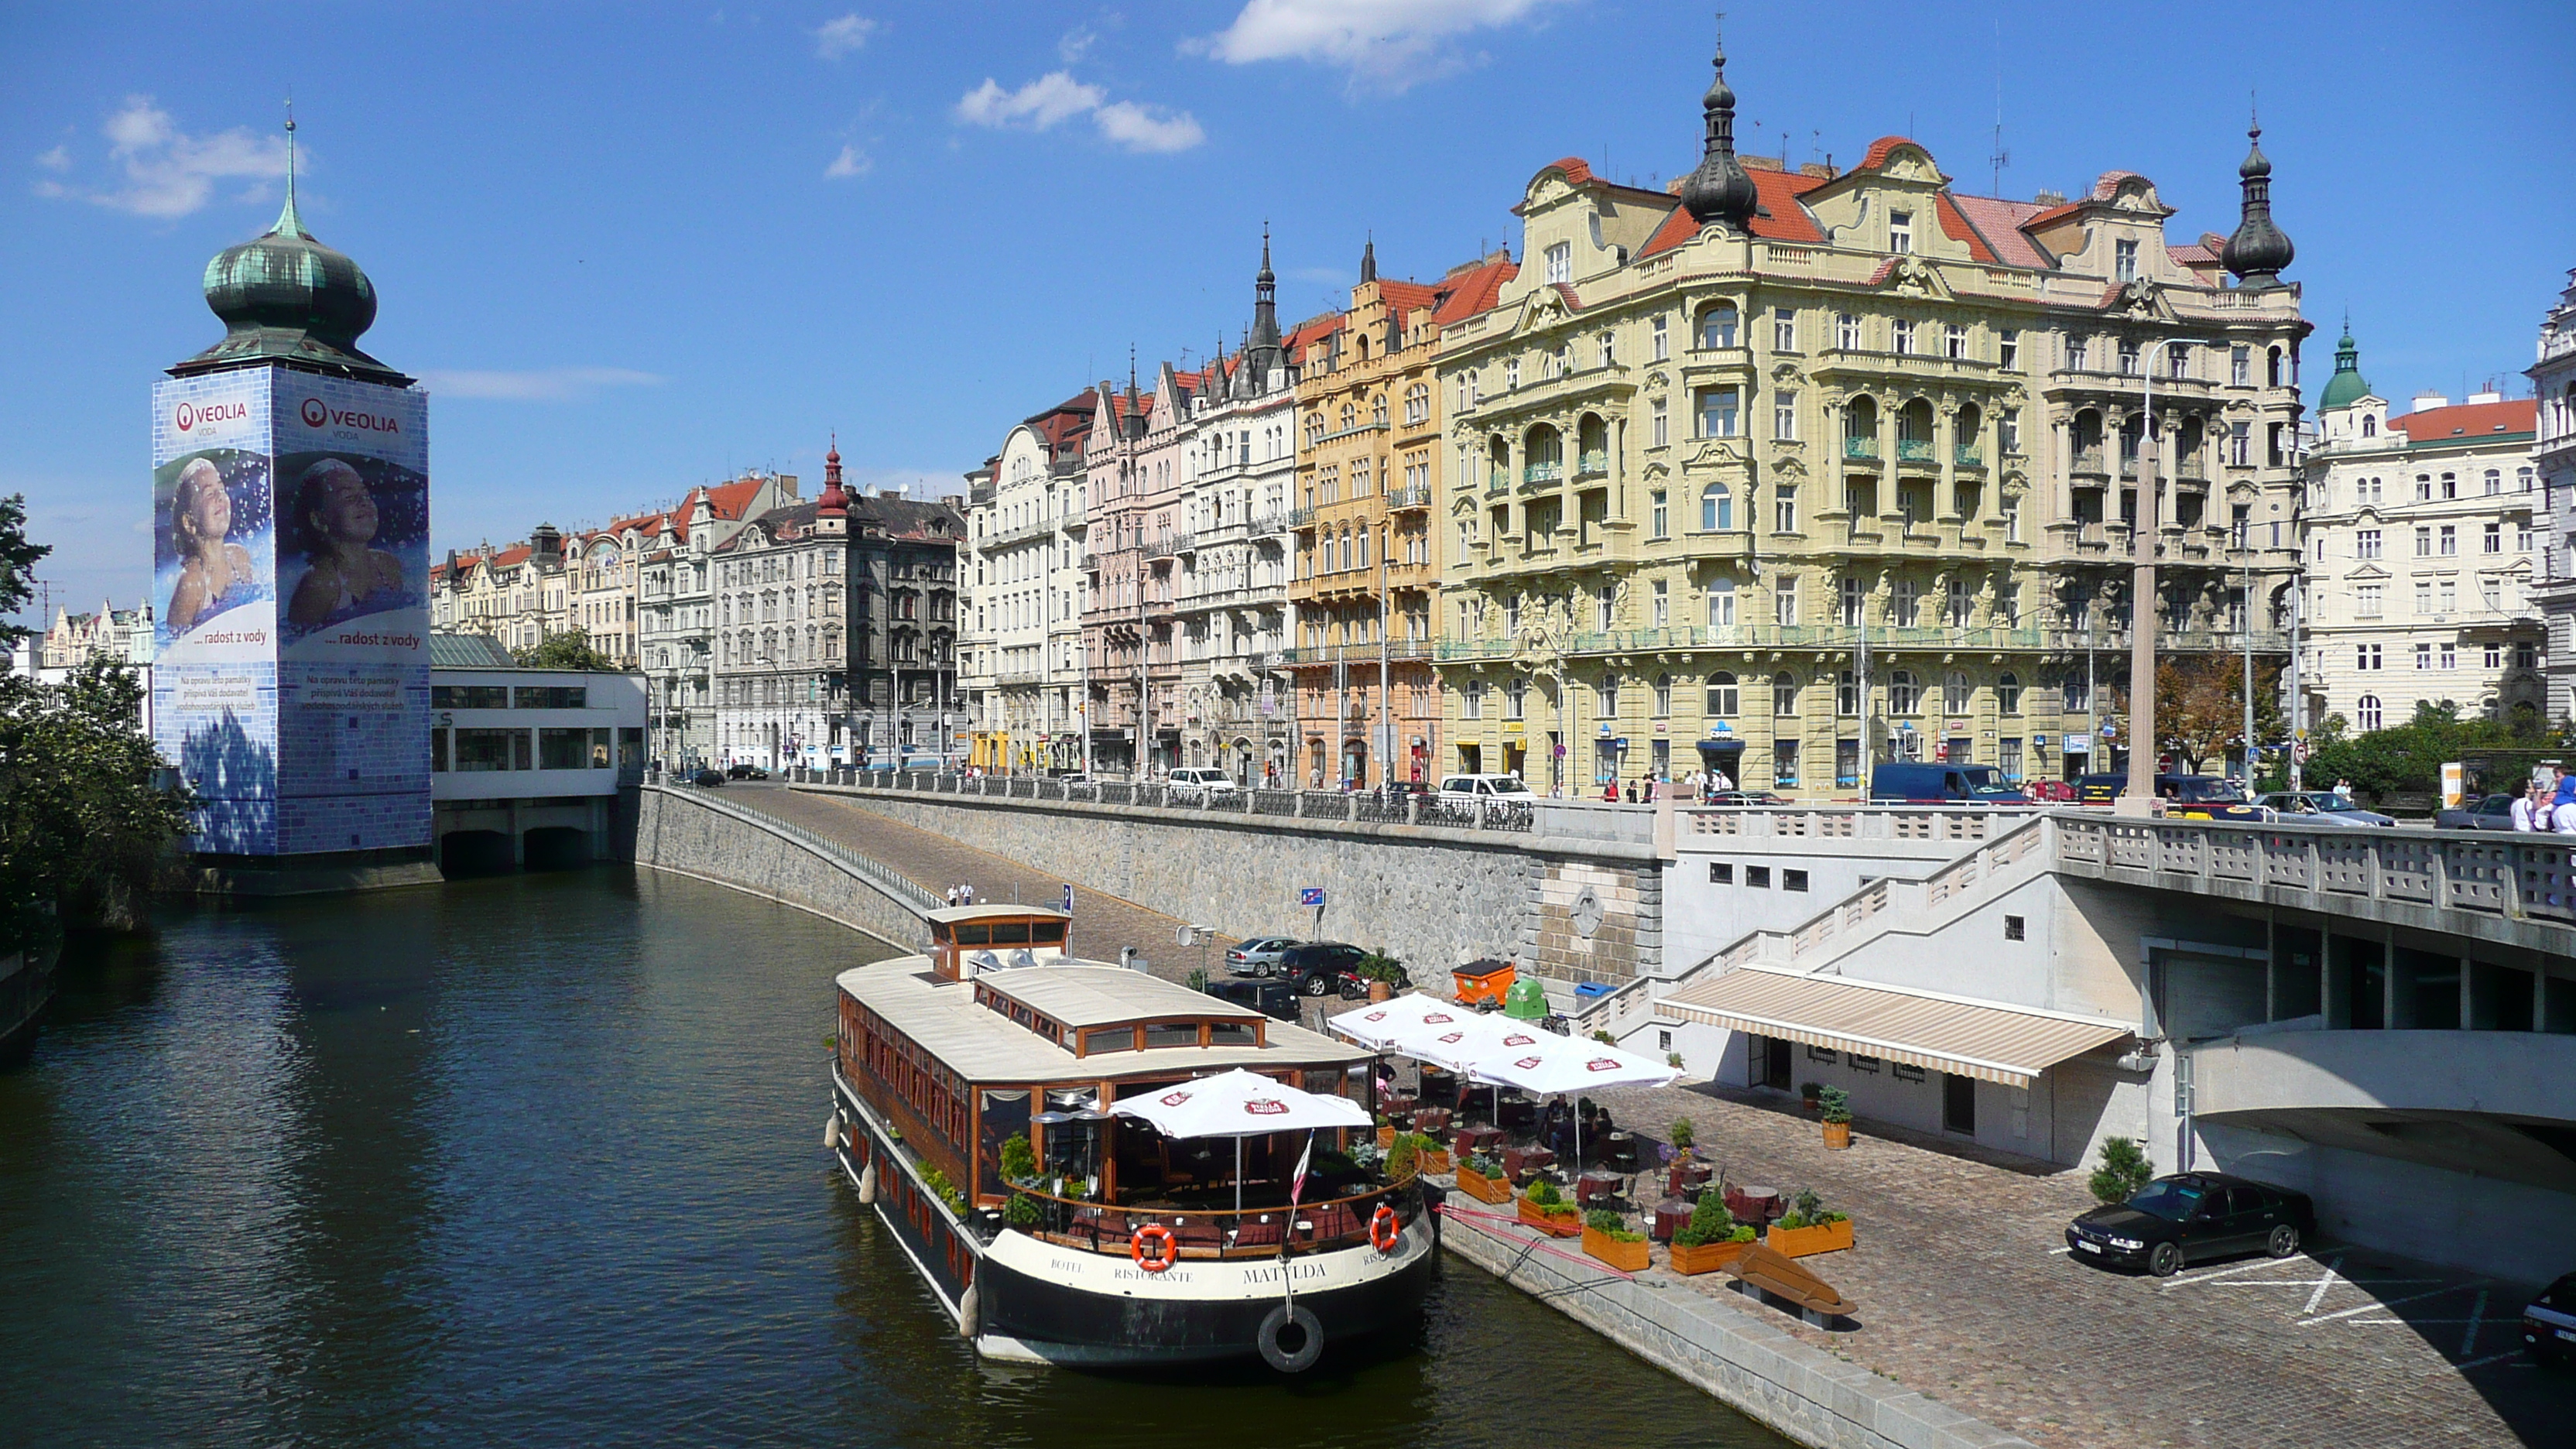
<point x="1106" y="1244"/>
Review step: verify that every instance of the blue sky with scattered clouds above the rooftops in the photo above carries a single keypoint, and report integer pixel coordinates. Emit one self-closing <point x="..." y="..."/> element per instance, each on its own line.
<point x="640" y="246"/>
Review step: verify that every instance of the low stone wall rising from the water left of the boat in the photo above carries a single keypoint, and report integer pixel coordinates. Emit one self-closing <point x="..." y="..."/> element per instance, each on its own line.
<point x="710" y="842"/>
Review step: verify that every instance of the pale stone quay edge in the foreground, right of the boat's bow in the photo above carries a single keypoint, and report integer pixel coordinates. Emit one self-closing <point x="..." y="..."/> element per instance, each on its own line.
<point x="1725" y="1350"/>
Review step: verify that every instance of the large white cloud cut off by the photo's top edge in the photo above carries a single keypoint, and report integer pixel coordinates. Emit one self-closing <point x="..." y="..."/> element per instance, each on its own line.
<point x="1379" y="43"/>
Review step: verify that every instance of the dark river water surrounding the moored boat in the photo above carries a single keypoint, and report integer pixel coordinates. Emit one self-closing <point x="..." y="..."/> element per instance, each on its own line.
<point x="540" y="1162"/>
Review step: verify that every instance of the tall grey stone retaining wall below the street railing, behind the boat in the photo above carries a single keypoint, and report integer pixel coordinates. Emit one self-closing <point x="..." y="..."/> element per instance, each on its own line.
<point x="1428" y="896"/>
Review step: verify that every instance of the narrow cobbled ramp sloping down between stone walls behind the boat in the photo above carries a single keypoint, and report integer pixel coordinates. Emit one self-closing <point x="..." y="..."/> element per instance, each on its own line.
<point x="1101" y="922"/>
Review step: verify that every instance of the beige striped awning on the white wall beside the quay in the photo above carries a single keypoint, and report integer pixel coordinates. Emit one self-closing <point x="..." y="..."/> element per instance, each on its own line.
<point x="1987" y="1040"/>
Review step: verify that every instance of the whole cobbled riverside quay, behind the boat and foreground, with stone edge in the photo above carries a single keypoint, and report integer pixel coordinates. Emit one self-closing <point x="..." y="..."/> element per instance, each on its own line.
<point x="1975" y="1327"/>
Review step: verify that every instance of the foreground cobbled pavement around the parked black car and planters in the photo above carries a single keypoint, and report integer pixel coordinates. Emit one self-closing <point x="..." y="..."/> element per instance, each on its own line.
<point x="1967" y="1293"/>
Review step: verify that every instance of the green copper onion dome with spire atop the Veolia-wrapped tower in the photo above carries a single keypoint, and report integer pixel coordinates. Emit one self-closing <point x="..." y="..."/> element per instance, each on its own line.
<point x="292" y="300"/>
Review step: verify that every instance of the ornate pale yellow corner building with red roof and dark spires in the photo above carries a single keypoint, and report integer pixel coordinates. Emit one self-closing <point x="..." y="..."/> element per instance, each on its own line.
<point x="1794" y="471"/>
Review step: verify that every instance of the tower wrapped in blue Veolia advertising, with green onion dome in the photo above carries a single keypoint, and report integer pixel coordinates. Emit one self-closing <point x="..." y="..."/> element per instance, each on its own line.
<point x="290" y="571"/>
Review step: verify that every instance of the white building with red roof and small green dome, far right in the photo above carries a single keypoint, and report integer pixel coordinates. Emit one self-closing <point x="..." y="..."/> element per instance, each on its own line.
<point x="2423" y="543"/>
